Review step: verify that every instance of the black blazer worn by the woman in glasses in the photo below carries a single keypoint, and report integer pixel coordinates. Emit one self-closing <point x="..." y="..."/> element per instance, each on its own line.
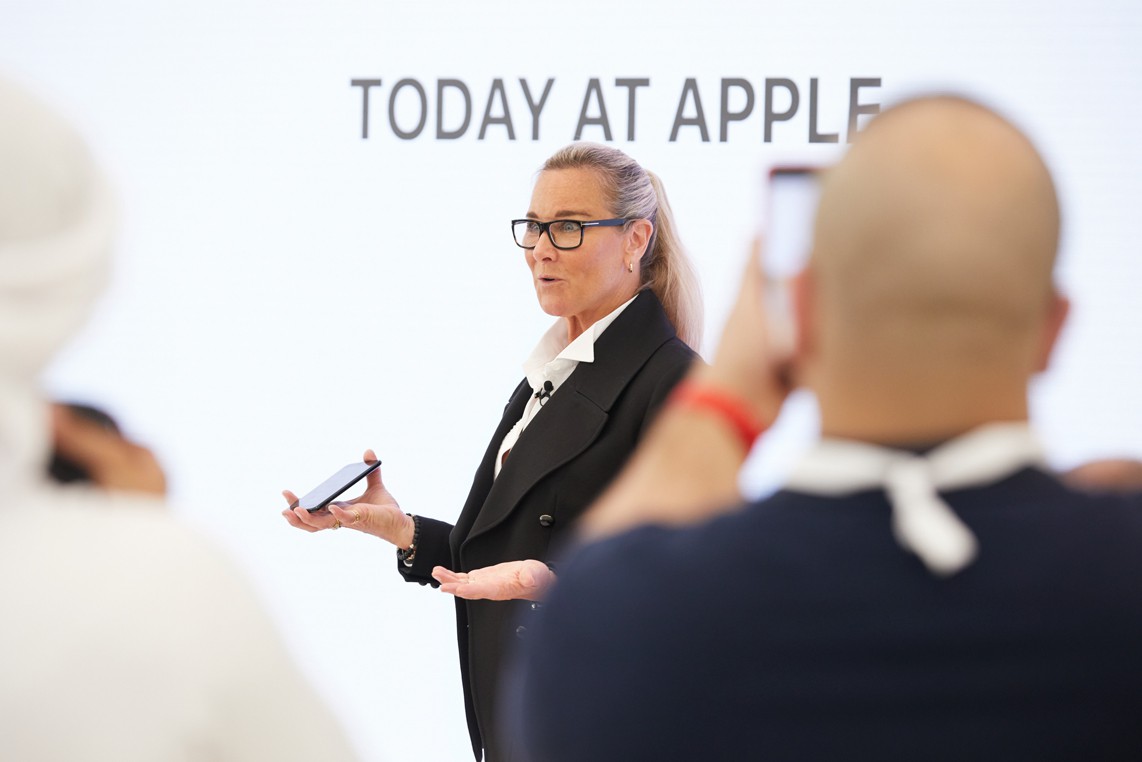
<point x="561" y="463"/>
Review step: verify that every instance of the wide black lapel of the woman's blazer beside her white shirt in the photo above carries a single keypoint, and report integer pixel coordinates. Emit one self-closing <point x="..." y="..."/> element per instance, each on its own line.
<point x="575" y="416"/>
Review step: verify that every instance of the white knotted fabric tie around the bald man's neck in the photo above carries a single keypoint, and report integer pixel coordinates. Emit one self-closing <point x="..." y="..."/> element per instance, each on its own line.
<point x="922" y="523"/>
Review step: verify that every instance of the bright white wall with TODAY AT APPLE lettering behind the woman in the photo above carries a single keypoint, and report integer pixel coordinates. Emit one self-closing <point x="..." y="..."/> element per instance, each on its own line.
<point x="289" y="294"/>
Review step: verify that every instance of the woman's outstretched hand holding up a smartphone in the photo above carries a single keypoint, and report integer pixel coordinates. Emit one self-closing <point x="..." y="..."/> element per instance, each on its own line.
<point x="376" y="514"/>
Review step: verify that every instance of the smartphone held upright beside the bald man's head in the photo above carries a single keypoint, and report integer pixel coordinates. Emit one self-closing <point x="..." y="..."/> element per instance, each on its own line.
<point x="793" y="196"/>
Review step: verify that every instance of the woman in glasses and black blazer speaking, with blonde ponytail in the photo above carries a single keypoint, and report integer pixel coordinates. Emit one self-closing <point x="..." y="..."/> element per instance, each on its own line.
<point x="606" y="260"/>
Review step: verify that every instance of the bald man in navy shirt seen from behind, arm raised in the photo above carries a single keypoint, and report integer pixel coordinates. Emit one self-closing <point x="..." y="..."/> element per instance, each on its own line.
<point x="922" y="588"/>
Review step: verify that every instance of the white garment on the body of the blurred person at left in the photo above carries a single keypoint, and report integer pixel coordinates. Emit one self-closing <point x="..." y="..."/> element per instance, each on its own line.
<point x="126" y="637"/>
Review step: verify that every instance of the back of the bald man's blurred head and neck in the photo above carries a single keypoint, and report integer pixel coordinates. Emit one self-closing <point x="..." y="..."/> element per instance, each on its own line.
<point x="930" y="301"/>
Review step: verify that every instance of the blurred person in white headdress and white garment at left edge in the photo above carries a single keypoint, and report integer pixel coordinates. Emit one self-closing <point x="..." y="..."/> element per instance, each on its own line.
<point x="126" y="637"/>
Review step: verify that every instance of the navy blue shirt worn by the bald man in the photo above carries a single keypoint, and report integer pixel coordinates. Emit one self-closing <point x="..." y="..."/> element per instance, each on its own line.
<point x="798" y="629"/>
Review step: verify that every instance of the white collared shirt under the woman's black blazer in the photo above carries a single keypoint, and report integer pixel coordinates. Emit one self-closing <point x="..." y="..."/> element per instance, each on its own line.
<point x="552" y="362"/>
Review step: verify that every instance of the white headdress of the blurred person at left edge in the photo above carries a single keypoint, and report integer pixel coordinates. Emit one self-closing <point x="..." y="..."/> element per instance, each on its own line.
<point x="57" y="224"/>
